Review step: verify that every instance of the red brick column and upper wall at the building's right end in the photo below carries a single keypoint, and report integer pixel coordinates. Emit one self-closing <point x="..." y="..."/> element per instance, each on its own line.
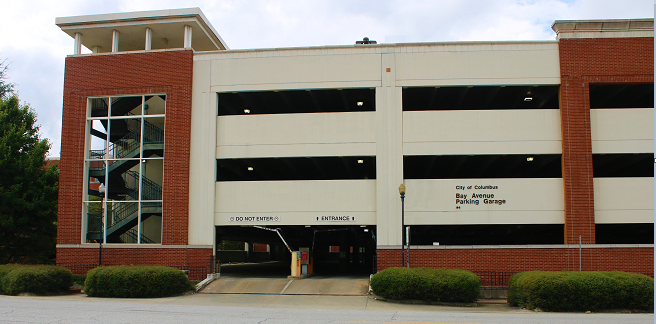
<point x="585" y="61"/>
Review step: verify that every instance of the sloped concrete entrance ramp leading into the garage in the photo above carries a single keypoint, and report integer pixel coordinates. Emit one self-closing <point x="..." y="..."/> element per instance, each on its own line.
<point x="328" y="286"/>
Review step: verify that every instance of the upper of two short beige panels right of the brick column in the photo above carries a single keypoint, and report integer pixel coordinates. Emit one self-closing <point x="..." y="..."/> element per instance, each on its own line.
<point x="622" y="130"/>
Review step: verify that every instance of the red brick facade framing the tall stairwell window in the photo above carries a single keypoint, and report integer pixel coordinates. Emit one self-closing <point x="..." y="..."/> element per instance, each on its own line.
<point x="168" y="72"/>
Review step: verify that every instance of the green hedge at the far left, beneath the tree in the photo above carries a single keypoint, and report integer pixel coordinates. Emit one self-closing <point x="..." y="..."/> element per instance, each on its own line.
<point x="36" y="279"/>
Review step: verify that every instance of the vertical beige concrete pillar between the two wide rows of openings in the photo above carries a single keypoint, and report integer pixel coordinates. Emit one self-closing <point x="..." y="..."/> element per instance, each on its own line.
<point x="389" y="155"/>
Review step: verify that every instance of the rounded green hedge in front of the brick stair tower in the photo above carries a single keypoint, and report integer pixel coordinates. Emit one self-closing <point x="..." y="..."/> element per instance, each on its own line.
<point x="136" y="282"/>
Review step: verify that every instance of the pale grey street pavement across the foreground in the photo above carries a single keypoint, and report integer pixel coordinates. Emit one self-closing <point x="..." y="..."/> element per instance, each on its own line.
<point x="264" y="308"/>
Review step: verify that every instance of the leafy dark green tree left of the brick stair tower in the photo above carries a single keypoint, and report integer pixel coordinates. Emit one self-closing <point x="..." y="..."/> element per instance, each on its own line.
<point x="28" y="189"/>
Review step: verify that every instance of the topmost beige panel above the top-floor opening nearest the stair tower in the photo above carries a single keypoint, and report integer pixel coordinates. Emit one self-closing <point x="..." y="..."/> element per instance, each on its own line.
<point x="296" y="69"/>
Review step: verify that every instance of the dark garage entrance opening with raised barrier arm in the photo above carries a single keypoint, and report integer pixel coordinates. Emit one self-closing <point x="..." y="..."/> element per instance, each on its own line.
<point x="330" y="250"/>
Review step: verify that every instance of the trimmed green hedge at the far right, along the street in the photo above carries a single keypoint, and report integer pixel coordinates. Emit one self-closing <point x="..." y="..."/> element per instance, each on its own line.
<point x="581" y="291"/>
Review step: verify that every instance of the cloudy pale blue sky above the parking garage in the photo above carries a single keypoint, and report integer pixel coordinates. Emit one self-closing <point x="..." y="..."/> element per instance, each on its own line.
<point x="35" y="47"/>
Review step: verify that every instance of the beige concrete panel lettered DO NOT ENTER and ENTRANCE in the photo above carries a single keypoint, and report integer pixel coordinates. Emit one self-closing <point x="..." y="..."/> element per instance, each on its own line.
<point x="295" y="202"/>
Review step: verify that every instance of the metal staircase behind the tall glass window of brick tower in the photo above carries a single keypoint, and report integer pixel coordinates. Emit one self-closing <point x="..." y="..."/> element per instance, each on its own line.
<point x="123" y="184"/>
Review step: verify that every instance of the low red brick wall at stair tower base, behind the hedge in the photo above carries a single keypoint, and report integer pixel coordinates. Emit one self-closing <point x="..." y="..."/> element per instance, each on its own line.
<point x="185" y="259"/>
